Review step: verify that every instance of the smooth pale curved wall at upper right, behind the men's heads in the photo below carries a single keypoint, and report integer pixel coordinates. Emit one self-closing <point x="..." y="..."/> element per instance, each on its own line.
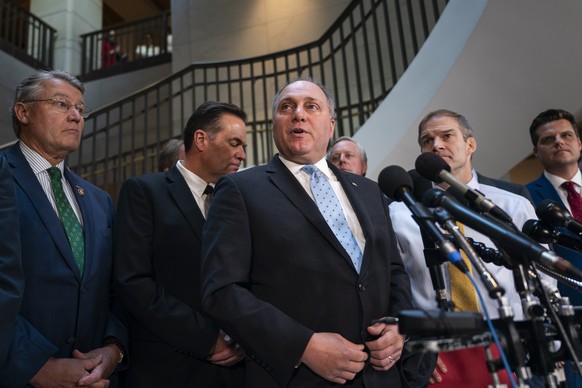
<point x="499" y="63"/>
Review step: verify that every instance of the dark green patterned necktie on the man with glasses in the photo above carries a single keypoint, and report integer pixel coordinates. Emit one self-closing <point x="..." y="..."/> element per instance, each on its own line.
<point x="70" y="222"/>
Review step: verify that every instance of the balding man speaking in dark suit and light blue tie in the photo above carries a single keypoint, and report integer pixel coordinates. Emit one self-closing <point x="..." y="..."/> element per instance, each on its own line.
<point x="277" y="279"/>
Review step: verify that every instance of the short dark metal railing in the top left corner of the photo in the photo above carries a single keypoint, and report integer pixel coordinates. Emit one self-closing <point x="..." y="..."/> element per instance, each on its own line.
<point x="26" y="37"/>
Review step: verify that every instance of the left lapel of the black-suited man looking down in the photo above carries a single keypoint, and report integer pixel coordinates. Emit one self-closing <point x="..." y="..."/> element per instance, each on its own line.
<point x="185" y="201"/>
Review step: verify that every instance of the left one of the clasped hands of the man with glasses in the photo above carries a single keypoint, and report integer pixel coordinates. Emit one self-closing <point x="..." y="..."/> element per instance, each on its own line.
<point x="64" y="372"/>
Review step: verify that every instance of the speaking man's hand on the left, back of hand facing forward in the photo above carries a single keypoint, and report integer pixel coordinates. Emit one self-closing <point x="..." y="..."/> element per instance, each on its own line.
<point x="333" y="357"/>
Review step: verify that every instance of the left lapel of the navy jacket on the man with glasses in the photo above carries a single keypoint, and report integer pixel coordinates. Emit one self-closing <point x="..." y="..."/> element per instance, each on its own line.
<point x="29" y="184"/>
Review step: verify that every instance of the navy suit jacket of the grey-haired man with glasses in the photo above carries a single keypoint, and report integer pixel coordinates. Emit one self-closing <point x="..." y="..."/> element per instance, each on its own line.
<point x="60" y="310"/>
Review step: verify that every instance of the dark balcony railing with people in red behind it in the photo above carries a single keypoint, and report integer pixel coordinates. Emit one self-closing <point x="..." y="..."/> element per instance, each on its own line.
<point x="126" y="47"/>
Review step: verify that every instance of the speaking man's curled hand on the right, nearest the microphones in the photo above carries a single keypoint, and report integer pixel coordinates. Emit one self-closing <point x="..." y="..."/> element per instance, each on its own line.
<point x="387" y="348"/>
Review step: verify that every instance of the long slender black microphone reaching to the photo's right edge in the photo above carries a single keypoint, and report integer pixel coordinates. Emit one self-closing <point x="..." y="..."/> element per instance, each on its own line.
<point x="502" y="234"/>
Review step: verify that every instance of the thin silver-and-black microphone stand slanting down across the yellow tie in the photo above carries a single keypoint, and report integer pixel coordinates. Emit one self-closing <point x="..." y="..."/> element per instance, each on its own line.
<point x="496" y="292"/>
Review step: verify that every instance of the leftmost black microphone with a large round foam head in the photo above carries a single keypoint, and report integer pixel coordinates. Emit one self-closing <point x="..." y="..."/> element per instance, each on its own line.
<point x="396" y="184"/>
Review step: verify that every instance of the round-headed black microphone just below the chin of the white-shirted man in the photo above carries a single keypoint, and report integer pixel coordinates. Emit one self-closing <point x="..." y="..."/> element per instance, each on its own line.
<point x="434" y="168"/>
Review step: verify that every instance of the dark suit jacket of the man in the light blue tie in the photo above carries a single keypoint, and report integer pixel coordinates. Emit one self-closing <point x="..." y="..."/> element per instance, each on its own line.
<point x="274" y="273"/>
